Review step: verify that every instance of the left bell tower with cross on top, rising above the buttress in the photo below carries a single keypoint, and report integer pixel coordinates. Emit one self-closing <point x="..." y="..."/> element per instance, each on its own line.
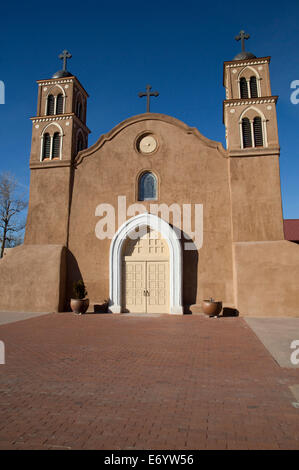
<point x="59" y="132"/>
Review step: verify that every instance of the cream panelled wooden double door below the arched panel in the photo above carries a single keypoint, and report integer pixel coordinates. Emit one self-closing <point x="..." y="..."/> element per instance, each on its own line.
<point x="146" y="286"/>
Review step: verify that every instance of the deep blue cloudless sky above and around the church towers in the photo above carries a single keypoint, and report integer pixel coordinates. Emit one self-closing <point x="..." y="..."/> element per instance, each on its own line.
<point x="118" y="47"/>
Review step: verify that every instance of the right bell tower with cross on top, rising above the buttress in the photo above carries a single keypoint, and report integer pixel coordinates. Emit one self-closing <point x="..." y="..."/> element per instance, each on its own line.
<point x="249" y="115"/>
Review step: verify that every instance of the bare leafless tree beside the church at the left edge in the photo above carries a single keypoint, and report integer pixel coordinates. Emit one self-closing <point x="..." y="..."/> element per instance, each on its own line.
<point x="11" y="205"/>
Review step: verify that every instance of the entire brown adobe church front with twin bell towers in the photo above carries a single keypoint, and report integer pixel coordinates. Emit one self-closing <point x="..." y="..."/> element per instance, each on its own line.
<point x="156" y="161"/>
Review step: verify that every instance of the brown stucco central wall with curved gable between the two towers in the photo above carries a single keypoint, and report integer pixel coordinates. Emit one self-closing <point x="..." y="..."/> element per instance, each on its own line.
<point x="190" y="170"/>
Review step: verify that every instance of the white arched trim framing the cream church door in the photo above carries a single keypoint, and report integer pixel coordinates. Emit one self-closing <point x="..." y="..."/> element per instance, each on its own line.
<point x="175" y="260"/>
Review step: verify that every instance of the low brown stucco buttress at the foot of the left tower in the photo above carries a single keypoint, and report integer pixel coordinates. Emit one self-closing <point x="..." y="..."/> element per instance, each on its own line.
<point x="33" y="279"/>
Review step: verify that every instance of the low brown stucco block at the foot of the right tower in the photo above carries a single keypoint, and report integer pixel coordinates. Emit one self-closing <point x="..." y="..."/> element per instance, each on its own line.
<point x="267" y="276"/>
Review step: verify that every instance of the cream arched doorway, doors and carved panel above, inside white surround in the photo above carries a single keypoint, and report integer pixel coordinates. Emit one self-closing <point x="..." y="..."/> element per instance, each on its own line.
<point x="145" y="273"/>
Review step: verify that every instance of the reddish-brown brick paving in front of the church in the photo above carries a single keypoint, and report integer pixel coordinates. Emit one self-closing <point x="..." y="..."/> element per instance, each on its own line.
<point x="128" y="382"/>
